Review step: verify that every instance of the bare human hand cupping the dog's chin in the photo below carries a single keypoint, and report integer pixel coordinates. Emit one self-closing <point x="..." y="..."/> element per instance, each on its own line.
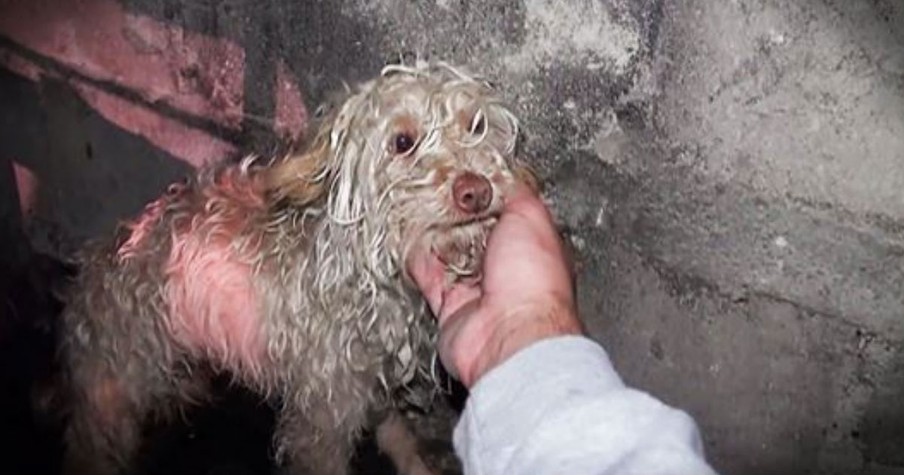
<point x="525" y="294"/>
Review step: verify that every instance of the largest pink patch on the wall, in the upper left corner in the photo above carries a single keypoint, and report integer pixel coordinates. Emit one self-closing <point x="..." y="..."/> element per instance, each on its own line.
<point x="192" y="72"/>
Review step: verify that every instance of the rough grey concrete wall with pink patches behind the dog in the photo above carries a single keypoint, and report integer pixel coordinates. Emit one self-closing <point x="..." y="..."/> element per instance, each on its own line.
<point x="731" y="172"/>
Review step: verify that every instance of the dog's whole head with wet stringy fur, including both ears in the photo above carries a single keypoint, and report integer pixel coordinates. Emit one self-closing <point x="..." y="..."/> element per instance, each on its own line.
<point x="419" y="153"/>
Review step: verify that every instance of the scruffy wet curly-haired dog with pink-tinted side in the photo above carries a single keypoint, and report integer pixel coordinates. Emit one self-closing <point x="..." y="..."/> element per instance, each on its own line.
<point x="288" y="274"/>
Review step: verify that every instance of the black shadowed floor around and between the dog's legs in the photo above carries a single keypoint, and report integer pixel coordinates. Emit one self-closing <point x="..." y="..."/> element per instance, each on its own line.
<point x="230" y="437"/>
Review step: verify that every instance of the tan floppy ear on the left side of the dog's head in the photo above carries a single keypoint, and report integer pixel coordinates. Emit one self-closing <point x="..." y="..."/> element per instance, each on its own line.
<point x="302" y="177"/>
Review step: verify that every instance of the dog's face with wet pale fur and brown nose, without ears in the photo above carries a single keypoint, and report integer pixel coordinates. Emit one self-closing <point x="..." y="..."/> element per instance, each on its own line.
<point x="442" y="148"/>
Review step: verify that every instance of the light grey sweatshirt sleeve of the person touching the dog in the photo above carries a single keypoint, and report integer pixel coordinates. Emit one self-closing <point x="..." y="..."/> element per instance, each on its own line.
<point x="559" y="407"/>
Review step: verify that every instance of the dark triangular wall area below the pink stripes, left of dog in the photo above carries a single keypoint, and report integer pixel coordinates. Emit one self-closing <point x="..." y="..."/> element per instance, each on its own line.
<point x="91" y="173"/>
